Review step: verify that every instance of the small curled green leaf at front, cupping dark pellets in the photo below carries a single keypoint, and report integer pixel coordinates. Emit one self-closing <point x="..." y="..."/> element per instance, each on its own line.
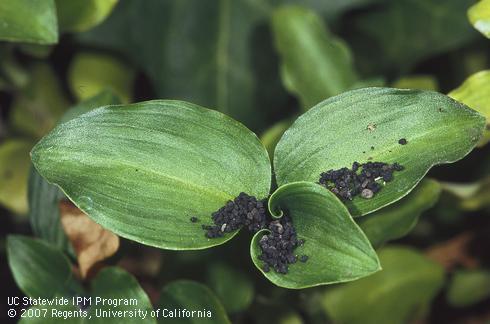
<point x="338" y="250"/>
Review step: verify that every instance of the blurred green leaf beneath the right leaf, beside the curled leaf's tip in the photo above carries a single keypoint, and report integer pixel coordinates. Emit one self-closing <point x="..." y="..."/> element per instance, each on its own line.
<point x="399" y="219"/>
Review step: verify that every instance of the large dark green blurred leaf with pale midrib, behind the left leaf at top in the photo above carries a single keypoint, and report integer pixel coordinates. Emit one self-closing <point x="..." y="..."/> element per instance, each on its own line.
<point x="192" y="50"/>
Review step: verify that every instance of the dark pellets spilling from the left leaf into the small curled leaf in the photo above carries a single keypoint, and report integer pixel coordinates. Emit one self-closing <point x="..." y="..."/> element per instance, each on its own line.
<point x="246" y="211"/>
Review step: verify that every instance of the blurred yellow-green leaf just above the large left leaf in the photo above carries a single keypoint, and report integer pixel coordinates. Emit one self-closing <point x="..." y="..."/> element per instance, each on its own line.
<point x="91" y="73"/>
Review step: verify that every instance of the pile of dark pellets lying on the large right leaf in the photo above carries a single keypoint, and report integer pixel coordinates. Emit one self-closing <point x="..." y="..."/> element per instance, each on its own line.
<point x="362" y="179"/>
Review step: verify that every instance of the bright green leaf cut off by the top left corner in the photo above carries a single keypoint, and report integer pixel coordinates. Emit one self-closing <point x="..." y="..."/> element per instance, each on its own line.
<point x="29" y="21"/>
